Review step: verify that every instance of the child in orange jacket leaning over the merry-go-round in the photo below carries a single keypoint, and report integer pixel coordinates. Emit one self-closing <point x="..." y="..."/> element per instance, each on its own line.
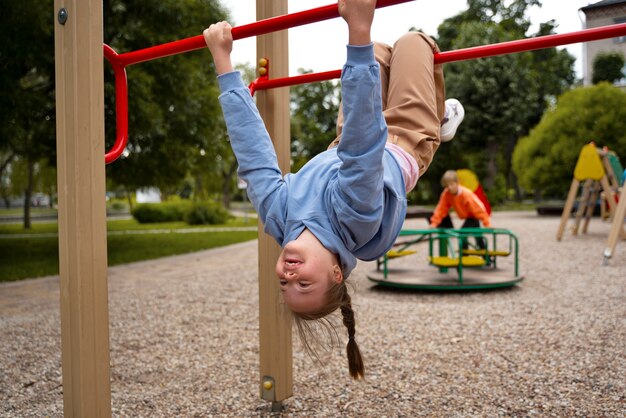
<point x="464" y="202"/>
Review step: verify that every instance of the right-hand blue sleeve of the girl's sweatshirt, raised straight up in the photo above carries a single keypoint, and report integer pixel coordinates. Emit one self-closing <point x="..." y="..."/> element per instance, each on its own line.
<point x="362" y="145"/>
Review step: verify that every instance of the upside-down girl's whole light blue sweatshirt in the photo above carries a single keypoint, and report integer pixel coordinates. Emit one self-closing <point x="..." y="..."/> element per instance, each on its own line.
<point x="351" y="197"/>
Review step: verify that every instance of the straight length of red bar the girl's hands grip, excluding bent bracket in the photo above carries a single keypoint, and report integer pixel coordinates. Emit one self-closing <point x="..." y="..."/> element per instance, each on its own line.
<point x="272" y="24"/>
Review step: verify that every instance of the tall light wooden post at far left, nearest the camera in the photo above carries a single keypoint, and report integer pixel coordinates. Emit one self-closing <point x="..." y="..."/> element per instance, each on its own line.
<point x="82" y="211"/>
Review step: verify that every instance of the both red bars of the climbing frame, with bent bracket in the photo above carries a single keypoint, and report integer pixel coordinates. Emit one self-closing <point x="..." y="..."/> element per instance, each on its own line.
<point x="120" y="61"/>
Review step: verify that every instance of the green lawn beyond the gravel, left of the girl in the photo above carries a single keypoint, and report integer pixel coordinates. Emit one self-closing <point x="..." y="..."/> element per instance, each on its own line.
<point x="22" y="258"/>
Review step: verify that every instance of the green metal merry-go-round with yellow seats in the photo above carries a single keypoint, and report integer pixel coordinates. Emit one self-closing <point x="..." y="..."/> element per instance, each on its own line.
<point x="457" y="265"/>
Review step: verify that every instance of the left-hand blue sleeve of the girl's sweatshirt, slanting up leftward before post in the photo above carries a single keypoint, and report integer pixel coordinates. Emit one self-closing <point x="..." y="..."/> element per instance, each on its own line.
<point x="251" y="143"/>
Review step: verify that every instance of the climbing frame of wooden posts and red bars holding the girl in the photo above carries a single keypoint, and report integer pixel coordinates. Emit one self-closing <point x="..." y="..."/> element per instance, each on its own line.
<point x="81" y="183"/>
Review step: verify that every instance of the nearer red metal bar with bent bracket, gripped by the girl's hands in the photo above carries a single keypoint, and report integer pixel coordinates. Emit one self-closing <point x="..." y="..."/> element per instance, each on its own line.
<point x="273" y="24"/>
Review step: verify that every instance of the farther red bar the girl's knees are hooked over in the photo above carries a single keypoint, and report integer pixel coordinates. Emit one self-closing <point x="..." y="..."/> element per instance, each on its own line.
<point x="529" y="44"/>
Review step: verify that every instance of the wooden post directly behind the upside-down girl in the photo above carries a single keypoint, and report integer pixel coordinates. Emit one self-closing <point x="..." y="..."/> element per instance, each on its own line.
<point x="274" y="318"/>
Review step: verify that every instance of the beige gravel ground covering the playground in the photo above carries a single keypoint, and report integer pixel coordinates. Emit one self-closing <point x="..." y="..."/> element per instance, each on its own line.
<point x="184" y="333"/>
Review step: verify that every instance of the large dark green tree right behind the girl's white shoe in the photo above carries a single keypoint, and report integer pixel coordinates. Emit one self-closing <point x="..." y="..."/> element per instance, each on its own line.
<point x="503" y="96"/>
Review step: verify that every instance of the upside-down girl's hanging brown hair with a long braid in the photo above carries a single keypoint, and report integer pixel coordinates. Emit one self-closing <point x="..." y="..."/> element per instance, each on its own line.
<point x="337" y="298"/>
